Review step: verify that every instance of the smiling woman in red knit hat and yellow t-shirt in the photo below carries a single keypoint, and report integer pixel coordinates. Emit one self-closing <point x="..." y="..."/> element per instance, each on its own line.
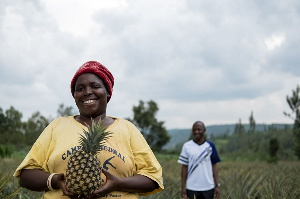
<point x="130" y="167"/>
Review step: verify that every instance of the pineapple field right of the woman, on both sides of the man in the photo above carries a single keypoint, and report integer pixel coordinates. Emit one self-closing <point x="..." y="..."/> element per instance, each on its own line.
<point x="241" y="180"/>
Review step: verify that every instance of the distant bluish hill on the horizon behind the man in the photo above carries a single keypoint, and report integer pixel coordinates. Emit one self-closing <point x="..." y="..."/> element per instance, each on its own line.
<point x="179" y="136"/>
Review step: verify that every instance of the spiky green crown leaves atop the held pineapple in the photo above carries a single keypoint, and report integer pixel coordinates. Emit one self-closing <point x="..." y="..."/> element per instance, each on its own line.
<point x="94" y="138"/>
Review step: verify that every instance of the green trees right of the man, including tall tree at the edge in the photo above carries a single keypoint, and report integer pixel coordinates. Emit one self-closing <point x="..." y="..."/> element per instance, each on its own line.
<point x="270" y="144"/>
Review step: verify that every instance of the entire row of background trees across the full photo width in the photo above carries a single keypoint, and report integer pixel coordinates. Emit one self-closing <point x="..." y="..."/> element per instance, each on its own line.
<point x="15" y="132"/>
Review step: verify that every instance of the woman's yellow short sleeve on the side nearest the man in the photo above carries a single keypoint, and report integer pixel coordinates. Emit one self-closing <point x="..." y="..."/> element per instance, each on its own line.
<point x="145" y="160"/>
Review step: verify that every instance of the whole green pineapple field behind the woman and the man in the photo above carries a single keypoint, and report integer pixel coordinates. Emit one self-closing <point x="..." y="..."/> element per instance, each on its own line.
<point x="239" y="180"/>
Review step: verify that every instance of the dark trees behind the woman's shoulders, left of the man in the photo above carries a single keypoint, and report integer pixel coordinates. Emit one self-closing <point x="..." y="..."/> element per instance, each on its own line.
<point x="18" y="134"/>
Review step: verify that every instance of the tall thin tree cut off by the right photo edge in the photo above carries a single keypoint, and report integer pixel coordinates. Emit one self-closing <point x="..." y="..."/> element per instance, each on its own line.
<point x="294" y="103"/>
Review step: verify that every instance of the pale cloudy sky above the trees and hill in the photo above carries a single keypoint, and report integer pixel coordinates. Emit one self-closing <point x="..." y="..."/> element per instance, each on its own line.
<point x="214" y="61"/>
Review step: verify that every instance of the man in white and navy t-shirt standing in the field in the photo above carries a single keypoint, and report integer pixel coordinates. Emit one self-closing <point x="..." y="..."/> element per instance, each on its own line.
<point x="199" y="173"/>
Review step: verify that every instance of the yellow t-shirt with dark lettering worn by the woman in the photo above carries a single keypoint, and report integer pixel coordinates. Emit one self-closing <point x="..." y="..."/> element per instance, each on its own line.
<point x="126" y="153"/>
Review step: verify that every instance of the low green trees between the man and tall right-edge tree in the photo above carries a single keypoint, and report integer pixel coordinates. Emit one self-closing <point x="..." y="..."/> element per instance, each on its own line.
<point x="270" y="144"/>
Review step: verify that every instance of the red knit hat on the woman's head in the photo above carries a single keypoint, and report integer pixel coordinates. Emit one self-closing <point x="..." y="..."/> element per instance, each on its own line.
<point x="98" y="69"/>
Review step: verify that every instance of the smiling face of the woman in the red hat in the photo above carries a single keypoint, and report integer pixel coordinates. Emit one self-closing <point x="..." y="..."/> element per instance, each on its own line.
<point x="90" y="95"/>
